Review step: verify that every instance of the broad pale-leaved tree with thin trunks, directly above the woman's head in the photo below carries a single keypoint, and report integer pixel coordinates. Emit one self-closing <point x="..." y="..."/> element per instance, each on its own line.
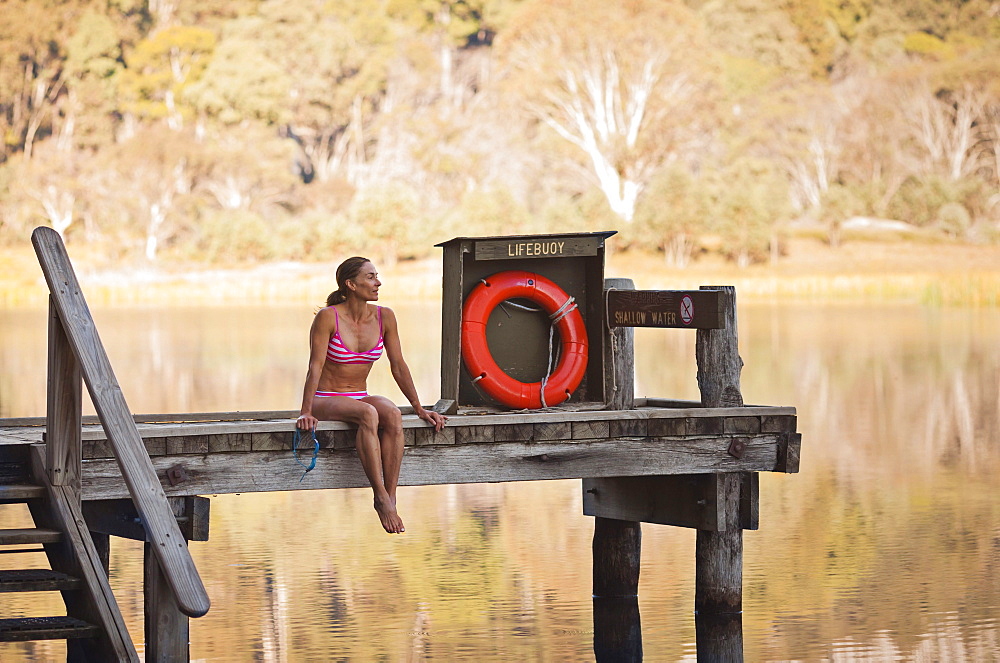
<point x="321" y="69"/>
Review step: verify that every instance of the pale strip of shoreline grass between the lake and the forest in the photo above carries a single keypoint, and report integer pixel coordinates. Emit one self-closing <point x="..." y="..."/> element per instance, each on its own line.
<point x="889" y="273"/>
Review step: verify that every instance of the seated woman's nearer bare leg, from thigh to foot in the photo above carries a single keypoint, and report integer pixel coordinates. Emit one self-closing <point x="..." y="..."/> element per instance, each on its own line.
<point x="369" y="447"/>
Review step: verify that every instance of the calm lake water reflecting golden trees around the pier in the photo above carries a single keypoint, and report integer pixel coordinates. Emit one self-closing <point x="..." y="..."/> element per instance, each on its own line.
<point x="886" y="546"/>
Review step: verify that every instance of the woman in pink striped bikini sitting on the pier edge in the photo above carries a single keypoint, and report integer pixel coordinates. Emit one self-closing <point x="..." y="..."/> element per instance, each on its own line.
<point x="347" y="337"/>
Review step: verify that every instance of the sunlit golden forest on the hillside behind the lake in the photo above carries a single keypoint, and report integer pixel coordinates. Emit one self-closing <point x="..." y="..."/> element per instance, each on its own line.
<point x="234" y="132"/>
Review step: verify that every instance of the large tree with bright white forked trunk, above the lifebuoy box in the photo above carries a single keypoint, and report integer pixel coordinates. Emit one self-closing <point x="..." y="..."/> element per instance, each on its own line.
<point x="617" y="82"/>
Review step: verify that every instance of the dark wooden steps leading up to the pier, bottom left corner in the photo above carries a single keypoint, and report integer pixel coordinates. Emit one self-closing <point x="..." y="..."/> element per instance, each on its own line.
<point x="93" y="625"/>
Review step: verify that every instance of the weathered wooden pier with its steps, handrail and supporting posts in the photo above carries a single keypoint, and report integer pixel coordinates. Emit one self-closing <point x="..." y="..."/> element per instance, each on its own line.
<point x="682" y="463"/>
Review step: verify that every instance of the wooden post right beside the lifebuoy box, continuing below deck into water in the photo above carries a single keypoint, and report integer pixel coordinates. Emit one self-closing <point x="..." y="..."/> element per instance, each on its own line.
<point x="617" y="543"/>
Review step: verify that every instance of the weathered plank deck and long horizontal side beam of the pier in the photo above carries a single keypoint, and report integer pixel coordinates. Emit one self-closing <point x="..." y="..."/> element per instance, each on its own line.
<point x="255" y="455"/>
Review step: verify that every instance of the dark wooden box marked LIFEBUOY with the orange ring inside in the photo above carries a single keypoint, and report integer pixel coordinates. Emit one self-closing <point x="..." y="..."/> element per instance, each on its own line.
<point x="495" y="313"/>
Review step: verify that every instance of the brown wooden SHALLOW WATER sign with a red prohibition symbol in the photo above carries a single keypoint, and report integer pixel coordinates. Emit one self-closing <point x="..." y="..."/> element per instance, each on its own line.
<point x="678" y="309"/>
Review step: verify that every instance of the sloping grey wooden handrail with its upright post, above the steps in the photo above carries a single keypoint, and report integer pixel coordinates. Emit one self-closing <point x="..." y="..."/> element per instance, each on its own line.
<point x="75" y="351"/>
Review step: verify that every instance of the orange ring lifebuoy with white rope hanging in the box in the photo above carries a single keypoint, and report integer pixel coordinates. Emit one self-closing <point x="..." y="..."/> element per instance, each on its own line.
<point x="566" y="318"/>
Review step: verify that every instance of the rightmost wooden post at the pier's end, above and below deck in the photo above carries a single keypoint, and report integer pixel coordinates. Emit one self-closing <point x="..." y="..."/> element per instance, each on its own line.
<point x="719" y="554"/>
